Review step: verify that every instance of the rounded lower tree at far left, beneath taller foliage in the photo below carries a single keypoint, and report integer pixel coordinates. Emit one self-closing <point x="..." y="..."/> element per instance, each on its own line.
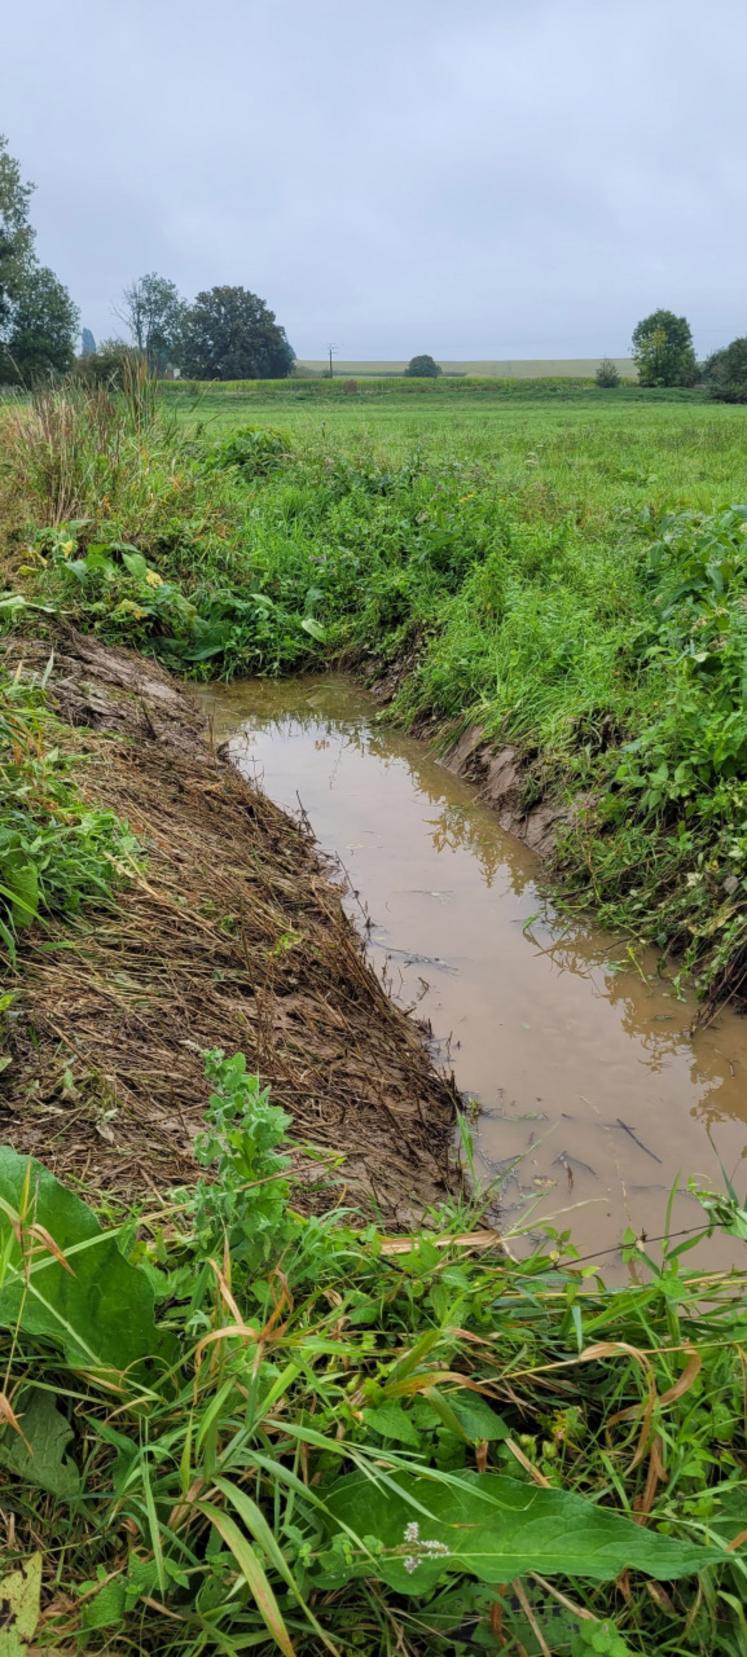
<point x="44" y="329"/>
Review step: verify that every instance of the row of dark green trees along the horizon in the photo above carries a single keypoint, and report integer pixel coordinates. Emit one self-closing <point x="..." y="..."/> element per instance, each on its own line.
<point x="231" y="334"/>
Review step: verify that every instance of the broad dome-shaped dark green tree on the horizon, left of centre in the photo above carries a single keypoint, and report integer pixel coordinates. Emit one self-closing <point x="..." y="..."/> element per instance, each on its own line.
<point x="233" y="336"/>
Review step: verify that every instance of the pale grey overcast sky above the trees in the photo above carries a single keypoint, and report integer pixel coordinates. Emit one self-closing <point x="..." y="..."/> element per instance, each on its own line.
<point x="471" y="178"/>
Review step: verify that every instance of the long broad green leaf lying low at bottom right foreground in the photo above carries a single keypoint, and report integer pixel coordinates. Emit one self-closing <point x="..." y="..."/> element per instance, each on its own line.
<point x="496" y="1529"/>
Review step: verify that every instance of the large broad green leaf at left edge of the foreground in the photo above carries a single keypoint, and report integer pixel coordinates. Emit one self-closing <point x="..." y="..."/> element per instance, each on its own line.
<point x="102" y="1312"/>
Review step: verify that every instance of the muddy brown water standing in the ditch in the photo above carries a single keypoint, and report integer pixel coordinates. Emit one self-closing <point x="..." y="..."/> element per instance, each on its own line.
<point x="592" y="1096"/>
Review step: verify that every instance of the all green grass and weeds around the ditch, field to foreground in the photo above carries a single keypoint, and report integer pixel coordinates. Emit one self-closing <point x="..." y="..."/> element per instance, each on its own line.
<point x="231" y="1424"/>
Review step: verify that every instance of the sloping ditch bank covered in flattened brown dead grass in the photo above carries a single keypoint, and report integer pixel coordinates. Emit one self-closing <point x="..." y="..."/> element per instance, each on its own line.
<point x="229" y="935"/>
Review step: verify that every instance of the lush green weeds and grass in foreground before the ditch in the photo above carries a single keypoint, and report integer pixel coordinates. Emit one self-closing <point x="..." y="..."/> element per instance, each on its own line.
<point x="238" y="1428"/>
